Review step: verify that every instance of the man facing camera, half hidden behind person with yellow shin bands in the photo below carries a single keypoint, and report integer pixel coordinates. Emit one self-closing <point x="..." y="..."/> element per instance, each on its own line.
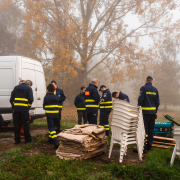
<point x="61" y="98"/>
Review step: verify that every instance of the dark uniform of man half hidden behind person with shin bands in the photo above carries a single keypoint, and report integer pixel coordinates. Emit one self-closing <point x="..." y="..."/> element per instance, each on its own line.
<point x="61" y="97"/>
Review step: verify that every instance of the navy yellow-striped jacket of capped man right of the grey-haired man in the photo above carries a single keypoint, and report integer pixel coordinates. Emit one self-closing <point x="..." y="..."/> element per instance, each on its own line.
<point x="106" y="105"/>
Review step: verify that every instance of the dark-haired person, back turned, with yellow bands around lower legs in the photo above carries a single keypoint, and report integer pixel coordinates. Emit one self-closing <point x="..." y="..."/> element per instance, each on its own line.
<point x="50" y="104"/>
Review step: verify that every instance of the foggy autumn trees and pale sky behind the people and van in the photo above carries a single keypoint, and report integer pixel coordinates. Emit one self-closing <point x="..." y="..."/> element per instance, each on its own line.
<point x="119" y="42"/>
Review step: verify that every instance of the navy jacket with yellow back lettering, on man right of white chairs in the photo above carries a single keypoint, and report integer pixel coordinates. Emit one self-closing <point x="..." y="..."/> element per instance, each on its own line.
<point x="149" y="99"/>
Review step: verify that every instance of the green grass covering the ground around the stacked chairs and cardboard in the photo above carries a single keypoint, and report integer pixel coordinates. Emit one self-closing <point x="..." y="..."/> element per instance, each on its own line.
<point x="17" y="164"/>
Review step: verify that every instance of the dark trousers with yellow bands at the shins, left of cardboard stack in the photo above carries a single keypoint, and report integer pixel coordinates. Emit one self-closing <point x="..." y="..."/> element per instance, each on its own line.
<point x="52" y="132"/>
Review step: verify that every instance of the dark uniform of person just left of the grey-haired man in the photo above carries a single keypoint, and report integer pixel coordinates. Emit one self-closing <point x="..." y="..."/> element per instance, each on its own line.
<point x="79" y="102"/>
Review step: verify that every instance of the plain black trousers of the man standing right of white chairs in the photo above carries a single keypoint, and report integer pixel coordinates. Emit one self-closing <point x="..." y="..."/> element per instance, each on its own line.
<point x="149" y="121"/>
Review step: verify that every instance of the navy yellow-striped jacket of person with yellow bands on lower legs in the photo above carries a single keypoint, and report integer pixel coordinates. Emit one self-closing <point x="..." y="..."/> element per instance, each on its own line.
<point x="50" y="104"/>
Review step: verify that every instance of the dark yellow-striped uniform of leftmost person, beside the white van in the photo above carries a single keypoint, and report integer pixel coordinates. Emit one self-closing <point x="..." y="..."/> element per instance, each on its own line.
<point x="21" y="99"/>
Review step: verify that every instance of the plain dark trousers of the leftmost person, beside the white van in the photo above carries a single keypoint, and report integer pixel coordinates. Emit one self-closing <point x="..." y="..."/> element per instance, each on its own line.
<point x="21" y="117"/>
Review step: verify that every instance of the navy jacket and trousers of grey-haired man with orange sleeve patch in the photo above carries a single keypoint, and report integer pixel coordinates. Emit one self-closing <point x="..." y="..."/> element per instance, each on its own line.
<point x="92" y="99"/>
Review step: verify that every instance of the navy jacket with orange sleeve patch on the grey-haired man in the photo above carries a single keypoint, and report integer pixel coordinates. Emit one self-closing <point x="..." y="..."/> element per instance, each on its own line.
<point x="92" y="98"/>
